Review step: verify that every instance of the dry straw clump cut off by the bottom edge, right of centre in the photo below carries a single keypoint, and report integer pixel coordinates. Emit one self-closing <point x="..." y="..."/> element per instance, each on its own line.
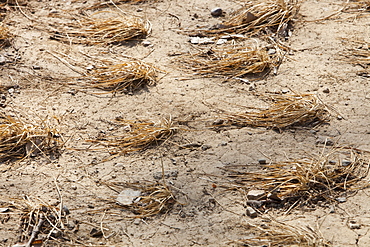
<point x="280" y="234"/>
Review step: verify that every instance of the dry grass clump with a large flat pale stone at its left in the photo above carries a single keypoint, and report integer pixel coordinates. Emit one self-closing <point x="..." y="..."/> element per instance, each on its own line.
<point x="154" y="198"/>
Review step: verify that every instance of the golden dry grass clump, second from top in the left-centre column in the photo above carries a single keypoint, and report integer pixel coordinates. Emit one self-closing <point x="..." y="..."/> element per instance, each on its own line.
<point x="124" y="77"/>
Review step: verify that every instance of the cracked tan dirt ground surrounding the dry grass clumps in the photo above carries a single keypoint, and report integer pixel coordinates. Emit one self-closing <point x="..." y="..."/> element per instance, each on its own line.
<point x="206" y="214"/>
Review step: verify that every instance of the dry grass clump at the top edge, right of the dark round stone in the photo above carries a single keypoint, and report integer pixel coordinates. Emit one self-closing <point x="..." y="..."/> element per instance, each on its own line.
<point x="255" y="17"/>
